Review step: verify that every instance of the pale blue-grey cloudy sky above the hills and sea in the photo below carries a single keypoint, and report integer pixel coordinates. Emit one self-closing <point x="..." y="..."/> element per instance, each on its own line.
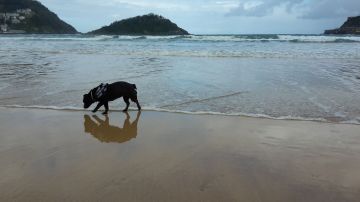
<point x="214" y="16"/>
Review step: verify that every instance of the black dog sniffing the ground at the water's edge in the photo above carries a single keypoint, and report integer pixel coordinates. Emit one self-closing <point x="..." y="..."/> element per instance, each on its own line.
<point x="109" y="92"/>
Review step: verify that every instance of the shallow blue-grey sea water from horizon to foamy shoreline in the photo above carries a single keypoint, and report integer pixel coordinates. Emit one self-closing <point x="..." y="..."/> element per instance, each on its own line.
<point x="310" y="77"/>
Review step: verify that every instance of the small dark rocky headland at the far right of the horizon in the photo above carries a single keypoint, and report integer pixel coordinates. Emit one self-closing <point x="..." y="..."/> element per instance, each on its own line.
<point x="351" y="26"/>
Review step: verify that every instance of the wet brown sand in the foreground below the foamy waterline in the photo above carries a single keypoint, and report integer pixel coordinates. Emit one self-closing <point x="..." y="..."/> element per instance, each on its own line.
<point x="48" y="155"/>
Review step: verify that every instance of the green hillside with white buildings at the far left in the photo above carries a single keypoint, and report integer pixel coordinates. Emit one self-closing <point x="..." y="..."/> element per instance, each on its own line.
<point x="30" y="17"/>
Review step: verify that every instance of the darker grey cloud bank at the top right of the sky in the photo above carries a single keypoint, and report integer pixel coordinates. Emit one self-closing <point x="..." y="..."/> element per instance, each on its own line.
<point x="307" y="9"/>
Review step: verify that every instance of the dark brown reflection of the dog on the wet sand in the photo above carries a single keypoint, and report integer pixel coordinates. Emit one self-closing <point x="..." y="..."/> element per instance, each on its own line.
<point x="104" y="132"/>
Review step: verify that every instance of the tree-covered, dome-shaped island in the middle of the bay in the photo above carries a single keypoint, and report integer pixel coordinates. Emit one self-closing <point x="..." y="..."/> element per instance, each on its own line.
<point x="150" y="24"/>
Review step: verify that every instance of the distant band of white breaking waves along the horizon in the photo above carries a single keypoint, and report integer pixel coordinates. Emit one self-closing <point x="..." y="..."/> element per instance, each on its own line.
<point x="194" y="38"/>
